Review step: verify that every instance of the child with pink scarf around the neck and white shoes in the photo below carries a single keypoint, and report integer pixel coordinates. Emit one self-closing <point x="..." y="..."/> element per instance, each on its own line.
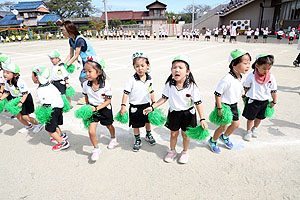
<point x="260" y="87"/>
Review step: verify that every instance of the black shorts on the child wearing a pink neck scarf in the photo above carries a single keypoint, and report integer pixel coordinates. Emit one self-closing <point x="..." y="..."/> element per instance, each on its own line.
<point x="255" y="109"/>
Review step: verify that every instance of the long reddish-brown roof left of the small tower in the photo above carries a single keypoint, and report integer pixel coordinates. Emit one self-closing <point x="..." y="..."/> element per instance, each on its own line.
<point x="125" y="15"/>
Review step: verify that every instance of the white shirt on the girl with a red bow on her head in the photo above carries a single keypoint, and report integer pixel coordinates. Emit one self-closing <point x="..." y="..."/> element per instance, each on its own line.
<point x="97" y="97"/>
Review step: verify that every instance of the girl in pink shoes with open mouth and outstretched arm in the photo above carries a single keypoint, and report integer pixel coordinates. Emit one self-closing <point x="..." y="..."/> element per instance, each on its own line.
<point x="182" y="93"/>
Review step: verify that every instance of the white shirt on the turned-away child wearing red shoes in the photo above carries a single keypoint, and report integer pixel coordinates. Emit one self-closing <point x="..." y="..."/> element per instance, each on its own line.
<point x="48" y="94"/>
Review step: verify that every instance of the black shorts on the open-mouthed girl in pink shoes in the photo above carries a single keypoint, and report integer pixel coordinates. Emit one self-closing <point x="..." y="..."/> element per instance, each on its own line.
<point x="181" y="119"/>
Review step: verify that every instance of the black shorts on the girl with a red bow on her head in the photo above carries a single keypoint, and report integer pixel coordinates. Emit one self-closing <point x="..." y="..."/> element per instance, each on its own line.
<point x="104" y="116"/>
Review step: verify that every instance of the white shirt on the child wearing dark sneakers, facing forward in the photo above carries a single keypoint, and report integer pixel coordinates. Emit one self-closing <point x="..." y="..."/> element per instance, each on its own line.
<point x="139" y="91"/>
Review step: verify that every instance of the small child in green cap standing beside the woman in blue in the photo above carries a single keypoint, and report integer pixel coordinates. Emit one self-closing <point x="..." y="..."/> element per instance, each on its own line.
<point x="59" y="74"/>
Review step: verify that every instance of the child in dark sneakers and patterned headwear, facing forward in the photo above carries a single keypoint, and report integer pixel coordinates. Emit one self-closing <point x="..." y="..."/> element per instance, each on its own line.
<point x="140" y="92"/>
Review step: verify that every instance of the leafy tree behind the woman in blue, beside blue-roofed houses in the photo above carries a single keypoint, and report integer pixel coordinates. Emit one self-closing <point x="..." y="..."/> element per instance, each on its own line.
<point x="74" y="8"/>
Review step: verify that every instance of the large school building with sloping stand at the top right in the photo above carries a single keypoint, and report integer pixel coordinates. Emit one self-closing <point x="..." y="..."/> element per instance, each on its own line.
<point x="274" y="14"/>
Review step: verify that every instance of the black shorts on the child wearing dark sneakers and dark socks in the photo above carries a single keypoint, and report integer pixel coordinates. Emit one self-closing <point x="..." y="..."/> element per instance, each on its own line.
<point x="136" y="117"/>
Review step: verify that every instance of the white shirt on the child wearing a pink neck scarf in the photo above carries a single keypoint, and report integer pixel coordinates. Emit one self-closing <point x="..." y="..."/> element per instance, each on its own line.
<point x="258" y="91"/>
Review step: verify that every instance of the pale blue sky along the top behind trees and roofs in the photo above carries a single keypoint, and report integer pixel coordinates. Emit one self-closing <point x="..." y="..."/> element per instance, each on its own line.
<point x="140" y="5"/>
